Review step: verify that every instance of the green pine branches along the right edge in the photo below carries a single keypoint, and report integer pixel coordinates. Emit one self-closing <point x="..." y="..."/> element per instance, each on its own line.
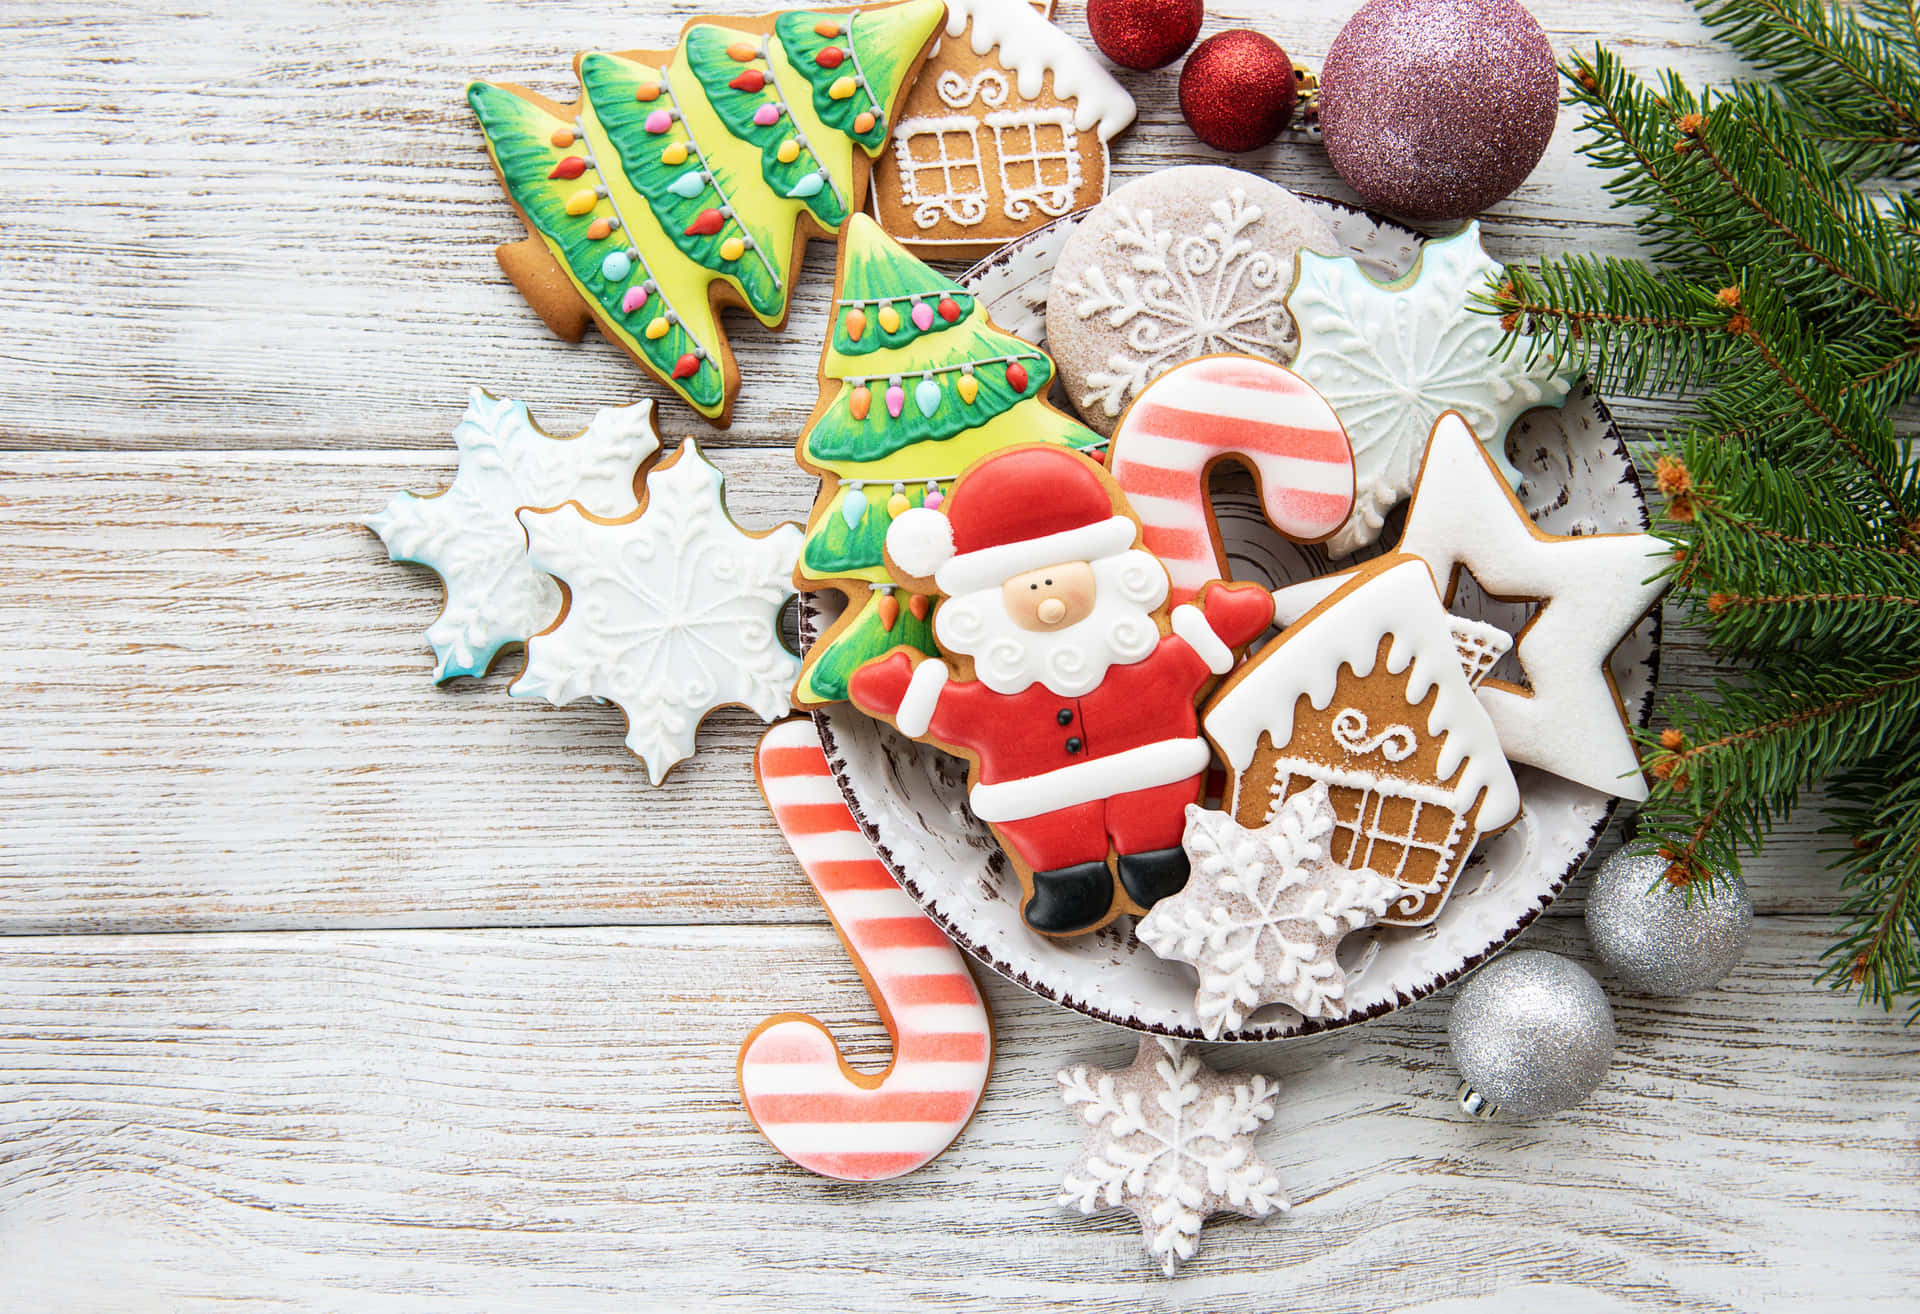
<point x="1783" y="301"/>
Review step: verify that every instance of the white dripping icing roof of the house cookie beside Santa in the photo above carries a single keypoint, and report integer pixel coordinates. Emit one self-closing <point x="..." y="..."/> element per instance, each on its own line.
<point x="1399" y="602"/>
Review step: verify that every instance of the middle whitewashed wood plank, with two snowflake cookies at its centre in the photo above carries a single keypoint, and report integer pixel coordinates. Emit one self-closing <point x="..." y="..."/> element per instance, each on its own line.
<point x="224" y="718"/>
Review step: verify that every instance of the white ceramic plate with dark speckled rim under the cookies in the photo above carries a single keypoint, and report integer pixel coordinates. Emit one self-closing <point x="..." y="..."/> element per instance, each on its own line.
<point x="911" y="800"/>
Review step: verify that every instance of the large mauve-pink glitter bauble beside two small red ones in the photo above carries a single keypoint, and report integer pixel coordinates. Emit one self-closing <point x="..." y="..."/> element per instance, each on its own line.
<point x="1435" y="110"/>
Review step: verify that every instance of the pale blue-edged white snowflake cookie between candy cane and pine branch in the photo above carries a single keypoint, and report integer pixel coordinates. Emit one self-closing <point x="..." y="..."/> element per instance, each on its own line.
<point x="1393" y="356"/>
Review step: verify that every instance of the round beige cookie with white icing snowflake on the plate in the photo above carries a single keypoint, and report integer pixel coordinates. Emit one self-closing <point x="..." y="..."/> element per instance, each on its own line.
<point x="1180" y="264"/>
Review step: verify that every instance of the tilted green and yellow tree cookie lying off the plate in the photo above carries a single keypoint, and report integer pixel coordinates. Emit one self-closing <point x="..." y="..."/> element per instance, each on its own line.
<point x="690" y="180"/>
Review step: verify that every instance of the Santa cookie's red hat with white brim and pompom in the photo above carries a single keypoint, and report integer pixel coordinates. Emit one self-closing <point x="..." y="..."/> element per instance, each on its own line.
<point x="1015" y="512"/>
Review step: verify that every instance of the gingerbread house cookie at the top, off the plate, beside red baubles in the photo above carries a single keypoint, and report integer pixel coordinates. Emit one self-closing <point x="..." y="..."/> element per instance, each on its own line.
<point x="1005" y="130"/>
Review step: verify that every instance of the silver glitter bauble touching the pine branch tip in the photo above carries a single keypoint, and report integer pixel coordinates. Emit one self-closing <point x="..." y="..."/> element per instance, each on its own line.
<point x="1658" y="940"/>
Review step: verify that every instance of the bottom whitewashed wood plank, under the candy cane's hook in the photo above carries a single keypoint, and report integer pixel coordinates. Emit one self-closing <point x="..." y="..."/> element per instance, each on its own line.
<point x="533" y="1121"/>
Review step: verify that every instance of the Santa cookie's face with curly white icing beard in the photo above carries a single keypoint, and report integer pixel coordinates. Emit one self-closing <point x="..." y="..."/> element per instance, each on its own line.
<point x="1065" y="633"/>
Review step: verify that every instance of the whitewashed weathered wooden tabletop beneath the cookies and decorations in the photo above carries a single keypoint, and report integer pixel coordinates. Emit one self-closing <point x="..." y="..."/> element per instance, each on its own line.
<point x="329" y="990"/>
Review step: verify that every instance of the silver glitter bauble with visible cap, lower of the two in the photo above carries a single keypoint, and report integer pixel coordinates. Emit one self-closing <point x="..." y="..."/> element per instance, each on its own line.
<point x="1531" y="1034"/>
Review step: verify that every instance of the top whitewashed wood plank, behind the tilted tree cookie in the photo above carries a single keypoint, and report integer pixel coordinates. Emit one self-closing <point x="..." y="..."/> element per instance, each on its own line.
<point x="276" y="226"/>
